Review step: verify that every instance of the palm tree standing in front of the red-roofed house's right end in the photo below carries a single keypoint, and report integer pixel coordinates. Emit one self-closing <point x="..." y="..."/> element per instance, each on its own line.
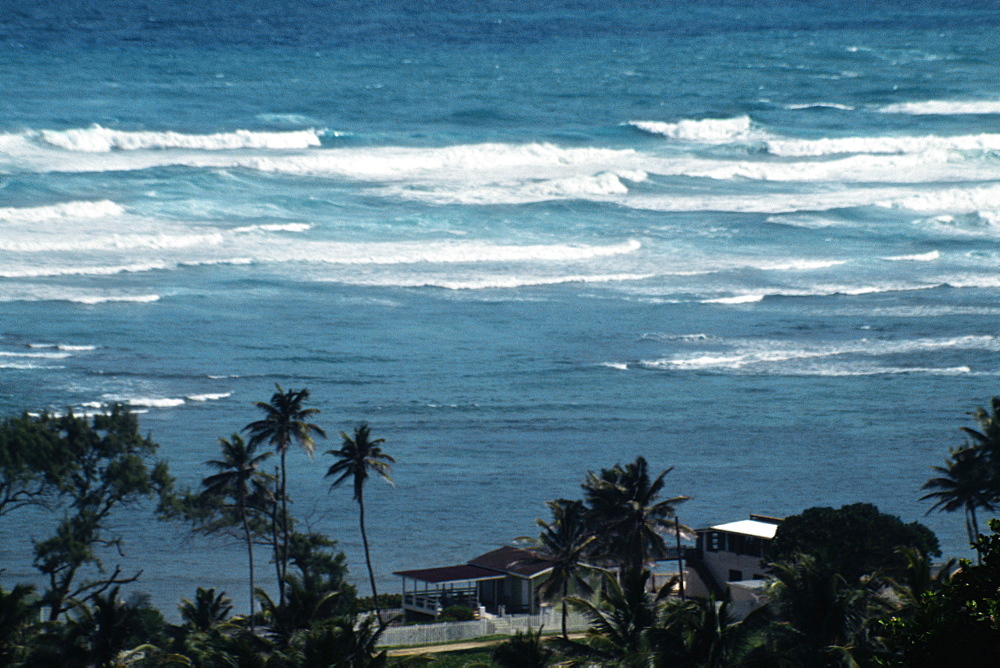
<point x="563" y="544"/>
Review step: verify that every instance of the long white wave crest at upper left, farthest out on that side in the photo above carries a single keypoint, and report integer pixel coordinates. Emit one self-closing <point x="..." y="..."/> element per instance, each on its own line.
<point x="97" y="139"/>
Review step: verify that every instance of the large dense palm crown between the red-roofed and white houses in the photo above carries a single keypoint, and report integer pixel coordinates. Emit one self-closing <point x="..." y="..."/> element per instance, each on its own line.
<point x="626" y="511"/>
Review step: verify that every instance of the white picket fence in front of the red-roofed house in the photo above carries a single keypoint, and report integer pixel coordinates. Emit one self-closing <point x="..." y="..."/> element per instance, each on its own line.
<point x="444" y="632"/>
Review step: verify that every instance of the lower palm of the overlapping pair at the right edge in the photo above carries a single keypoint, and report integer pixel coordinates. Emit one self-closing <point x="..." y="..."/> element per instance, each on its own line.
<point x="967" y="483"/>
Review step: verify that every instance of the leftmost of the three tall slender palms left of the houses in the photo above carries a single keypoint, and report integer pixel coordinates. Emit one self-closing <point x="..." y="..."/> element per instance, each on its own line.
<point x="239" y="478"/>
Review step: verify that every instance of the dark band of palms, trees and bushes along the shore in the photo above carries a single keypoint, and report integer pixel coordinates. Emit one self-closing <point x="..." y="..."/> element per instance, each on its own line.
<point x="847" y="586"/>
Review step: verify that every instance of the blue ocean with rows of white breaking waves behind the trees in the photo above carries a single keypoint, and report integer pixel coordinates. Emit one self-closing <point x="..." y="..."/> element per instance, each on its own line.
<point x="753" y="241"/>
